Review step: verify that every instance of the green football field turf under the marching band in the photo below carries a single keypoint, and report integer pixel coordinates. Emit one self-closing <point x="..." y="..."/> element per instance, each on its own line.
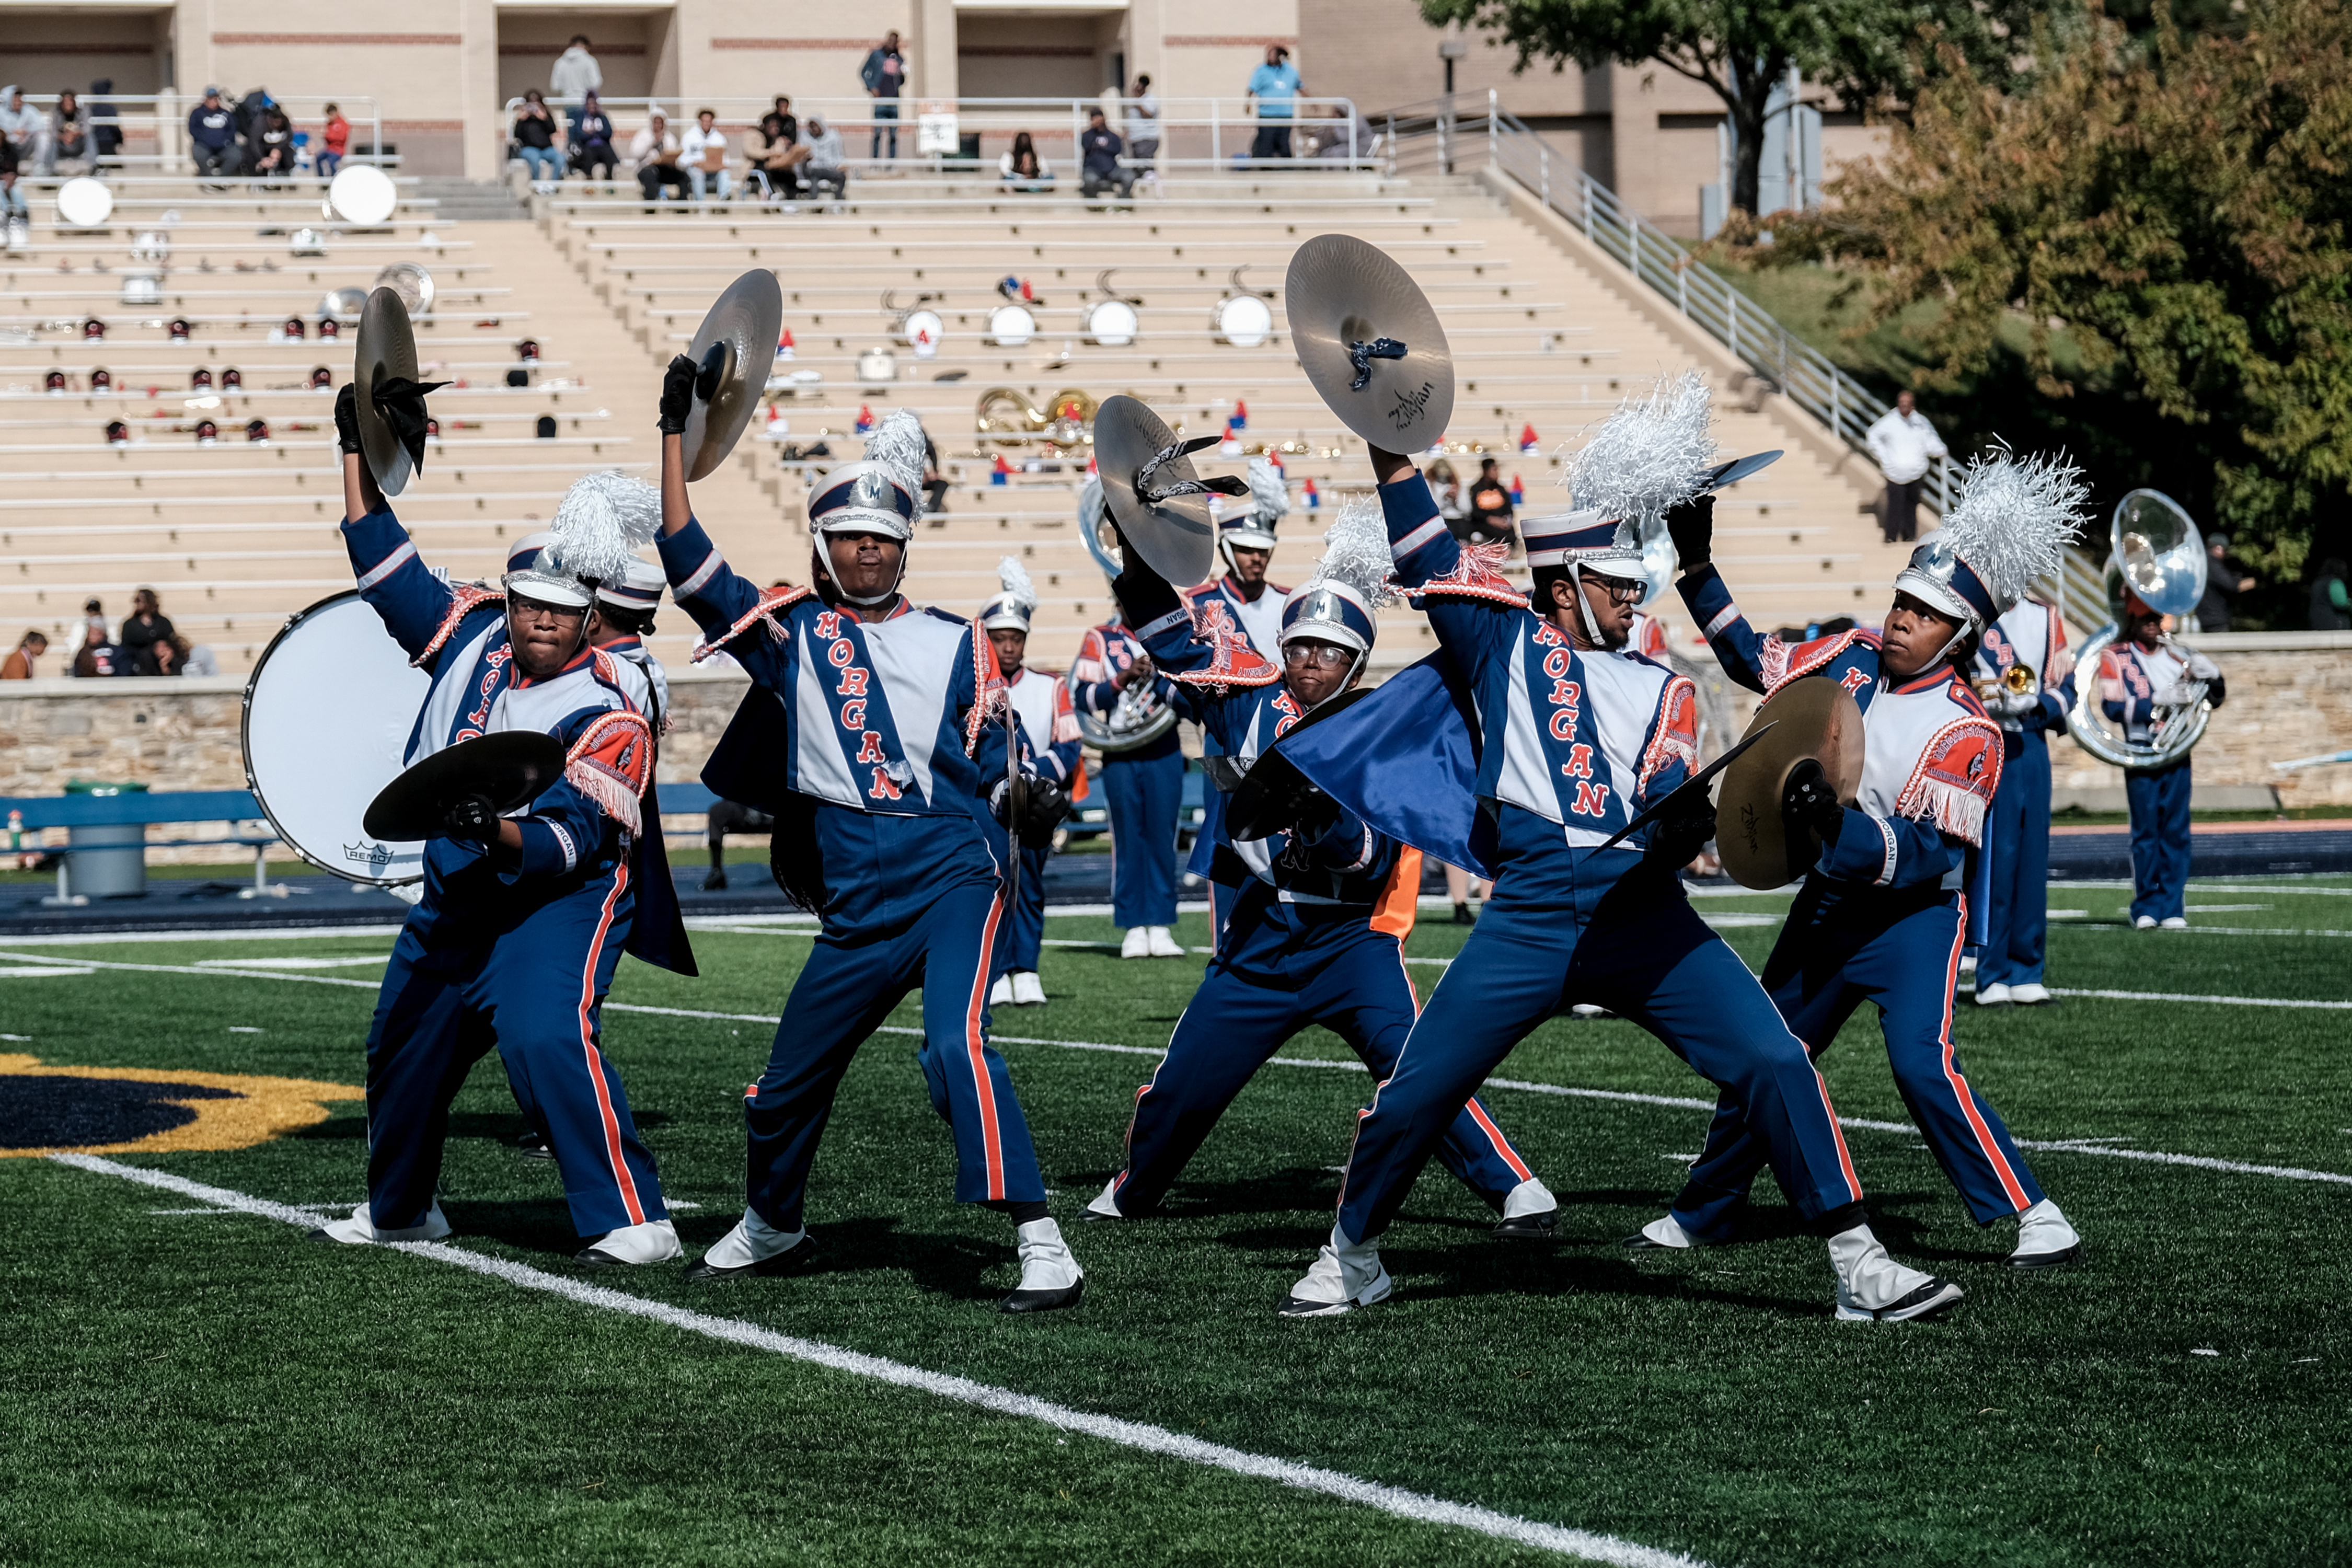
<point x="194" y="1386"/>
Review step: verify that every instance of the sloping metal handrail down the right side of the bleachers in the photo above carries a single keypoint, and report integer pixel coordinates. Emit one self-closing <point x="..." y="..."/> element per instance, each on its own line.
<point x="1436" y="138"/>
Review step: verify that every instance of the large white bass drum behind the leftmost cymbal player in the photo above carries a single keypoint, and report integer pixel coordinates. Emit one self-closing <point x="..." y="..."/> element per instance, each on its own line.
<point x="328" y="721"/>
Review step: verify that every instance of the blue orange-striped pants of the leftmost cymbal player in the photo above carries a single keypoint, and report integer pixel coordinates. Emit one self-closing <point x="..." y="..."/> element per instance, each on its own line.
<point x="535" y="991"/>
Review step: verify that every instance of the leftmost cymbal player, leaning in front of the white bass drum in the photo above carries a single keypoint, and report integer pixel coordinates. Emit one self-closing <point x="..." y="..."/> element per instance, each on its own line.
<point x="523" y="918"/>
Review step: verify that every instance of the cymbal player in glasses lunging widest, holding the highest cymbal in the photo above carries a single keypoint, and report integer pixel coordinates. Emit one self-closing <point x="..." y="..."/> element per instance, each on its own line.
<point x="1577" y="739"/>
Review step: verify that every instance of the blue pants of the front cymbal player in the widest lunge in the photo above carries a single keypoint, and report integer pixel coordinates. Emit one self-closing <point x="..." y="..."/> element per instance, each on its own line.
<point x="1641" y="951"/>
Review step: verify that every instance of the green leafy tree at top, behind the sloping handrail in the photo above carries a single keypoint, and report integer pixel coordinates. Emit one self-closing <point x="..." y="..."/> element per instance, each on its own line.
<point x="1862" y="53"/>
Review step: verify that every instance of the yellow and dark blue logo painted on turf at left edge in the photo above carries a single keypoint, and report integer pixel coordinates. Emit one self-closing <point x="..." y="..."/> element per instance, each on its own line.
<point x="147" y="1111"/>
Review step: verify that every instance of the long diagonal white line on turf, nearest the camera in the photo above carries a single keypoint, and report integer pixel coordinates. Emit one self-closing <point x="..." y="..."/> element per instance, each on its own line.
<point x="965" y="1391"/>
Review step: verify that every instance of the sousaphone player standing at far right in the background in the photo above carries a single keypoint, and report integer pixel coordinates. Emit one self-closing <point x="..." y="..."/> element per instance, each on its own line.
<point x="2137" y="676"/>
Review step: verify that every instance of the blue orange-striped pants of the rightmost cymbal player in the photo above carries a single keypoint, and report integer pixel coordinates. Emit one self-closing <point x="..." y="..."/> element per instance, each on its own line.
<point x="1904" y="956"/>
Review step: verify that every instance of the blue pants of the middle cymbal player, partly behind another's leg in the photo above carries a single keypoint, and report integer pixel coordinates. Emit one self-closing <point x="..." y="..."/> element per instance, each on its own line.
<point x="1278" y="972"/>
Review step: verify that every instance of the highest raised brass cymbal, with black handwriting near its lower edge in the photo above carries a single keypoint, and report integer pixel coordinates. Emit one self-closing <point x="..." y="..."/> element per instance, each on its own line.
<point x="1370" y="342"/>
